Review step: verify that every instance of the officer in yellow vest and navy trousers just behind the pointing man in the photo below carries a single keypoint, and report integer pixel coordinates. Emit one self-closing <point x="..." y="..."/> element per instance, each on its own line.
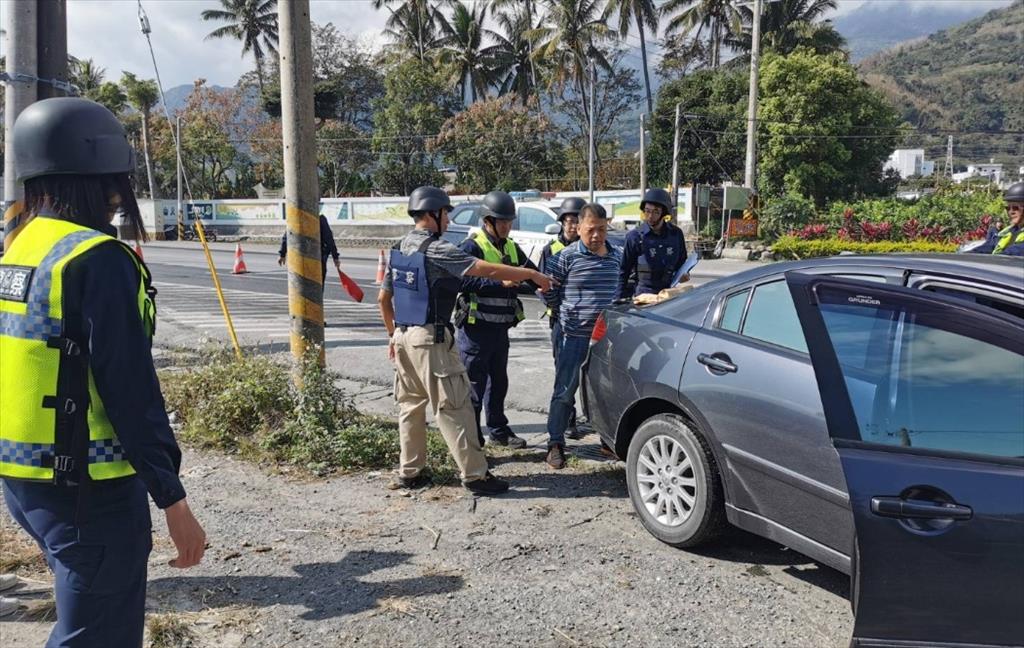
<point x="486" y="312"/>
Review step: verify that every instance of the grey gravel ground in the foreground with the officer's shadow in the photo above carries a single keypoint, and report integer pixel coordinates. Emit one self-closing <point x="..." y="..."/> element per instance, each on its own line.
<point x="561" y="561"/>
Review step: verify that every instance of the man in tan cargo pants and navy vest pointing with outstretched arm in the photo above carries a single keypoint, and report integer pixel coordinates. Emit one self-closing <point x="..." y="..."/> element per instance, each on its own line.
<point x="416" y="301"/>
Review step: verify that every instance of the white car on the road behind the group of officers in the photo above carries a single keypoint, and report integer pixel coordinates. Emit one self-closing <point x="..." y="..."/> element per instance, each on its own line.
<point x="535" y="227"/>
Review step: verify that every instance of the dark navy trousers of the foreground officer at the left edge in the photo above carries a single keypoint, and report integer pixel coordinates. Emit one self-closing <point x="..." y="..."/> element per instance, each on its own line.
<point x="99" y="561"/>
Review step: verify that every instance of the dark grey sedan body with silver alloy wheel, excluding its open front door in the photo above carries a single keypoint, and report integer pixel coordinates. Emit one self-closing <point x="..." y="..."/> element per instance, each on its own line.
<point x="711" y="399"/>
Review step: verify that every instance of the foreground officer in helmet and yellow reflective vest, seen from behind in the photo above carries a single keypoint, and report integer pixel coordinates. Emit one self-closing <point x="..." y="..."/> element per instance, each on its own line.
<point x="83" y="430"/>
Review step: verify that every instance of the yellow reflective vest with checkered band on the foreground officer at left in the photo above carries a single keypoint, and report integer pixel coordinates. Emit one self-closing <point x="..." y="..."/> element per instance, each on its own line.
<point x="49" y="399"/>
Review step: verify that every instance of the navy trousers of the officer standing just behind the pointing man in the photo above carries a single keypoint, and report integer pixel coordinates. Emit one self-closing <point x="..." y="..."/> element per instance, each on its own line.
<point x="485" y="352"/>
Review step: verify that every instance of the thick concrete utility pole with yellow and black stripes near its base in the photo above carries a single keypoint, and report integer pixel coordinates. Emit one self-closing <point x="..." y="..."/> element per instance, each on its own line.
<point x="306" y="288"/>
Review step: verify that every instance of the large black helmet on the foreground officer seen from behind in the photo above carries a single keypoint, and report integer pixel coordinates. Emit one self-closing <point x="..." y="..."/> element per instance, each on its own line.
<point x="70" y="137"/>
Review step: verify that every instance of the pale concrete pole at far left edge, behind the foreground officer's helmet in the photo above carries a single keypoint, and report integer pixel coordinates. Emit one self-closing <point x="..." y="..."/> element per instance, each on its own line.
<point x="22" y="60"/>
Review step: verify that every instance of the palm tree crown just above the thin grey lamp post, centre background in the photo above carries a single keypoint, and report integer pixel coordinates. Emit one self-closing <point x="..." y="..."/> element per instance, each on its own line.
<point x="569" y="42"/>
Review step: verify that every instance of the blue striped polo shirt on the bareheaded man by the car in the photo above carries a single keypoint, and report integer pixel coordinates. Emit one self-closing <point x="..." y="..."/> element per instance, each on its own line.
<point x="588" y="285"/>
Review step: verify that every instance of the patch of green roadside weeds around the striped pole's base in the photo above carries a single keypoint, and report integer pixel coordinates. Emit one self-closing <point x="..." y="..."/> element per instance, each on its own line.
<point x="250" y="407"/>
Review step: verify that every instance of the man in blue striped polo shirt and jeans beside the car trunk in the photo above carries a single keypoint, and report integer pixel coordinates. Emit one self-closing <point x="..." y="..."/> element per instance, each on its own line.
<point x="587" y="275"/>
